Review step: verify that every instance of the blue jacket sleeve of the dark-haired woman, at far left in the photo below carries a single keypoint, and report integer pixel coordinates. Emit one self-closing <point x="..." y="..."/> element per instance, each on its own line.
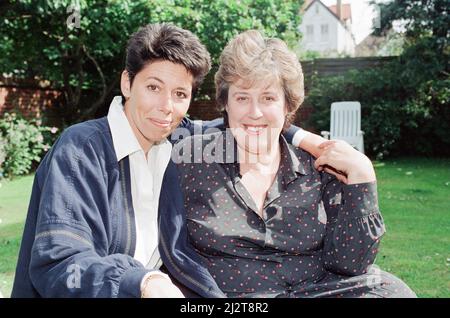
<point x="71" y="256"/>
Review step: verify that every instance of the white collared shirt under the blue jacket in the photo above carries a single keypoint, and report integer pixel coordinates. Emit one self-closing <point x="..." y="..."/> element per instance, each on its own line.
<point x="146" y="180"/>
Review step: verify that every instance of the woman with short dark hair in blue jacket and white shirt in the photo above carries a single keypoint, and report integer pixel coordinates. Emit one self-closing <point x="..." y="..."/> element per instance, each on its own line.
<point x="91" y="229"/>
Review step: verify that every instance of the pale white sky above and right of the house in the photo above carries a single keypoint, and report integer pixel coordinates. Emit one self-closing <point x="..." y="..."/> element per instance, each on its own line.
<point x="362" y="16"/>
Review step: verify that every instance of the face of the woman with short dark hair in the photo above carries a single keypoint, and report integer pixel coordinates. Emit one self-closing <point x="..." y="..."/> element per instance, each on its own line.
<point x="157" y="100"/>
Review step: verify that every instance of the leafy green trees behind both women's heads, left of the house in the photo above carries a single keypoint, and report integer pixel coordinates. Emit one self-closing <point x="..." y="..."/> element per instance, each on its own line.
<point x="78" y="46"/>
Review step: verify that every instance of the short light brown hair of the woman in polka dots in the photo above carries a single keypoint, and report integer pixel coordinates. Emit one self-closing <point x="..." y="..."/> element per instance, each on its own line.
<point x="251" y="57"/>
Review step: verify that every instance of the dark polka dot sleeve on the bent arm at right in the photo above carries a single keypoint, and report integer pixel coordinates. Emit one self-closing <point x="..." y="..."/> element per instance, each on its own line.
<point x="354" y="226"/>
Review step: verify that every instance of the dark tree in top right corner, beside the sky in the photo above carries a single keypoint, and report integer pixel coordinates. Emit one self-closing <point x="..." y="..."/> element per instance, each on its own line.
<point x="426" y="49"/>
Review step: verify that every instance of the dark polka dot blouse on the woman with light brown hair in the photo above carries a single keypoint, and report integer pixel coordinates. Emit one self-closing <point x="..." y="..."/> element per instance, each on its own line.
<point x="311" y="223"/>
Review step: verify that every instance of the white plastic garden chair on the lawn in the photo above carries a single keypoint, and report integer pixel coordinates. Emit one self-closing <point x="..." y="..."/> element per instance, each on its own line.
<point x="345" y="124"/>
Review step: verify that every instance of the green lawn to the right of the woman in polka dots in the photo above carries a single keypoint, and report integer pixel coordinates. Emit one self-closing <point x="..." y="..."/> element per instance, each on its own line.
<point x="414" y="197"/>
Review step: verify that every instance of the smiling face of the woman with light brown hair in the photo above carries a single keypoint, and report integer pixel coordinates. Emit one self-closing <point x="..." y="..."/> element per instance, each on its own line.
<point x="256" y="115"/>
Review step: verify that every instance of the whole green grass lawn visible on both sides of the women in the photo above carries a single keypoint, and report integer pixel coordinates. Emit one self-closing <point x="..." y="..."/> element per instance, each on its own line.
<point x="414" y="195"/>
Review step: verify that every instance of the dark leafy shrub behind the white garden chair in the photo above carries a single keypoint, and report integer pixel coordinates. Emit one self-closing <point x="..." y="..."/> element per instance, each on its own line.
<point x="404" y="109"/>
